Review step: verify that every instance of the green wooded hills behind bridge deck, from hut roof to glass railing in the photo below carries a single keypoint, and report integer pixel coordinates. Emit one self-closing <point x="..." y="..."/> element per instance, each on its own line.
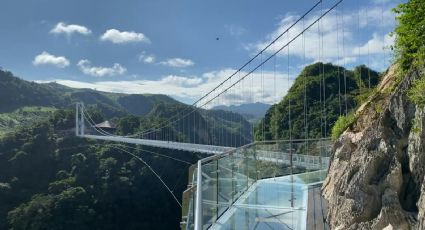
<point x="218" y="127"/>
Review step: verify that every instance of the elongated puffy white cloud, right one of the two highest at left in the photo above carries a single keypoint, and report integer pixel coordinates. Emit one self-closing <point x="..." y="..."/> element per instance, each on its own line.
<point x="120" y="37"/>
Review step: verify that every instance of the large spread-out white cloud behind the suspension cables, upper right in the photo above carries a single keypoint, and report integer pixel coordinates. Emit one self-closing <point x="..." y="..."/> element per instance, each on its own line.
<point x="340" y="39"/>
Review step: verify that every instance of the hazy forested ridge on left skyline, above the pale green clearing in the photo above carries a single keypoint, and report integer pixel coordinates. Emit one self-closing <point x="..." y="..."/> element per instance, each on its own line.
<point x="16" y="93"/>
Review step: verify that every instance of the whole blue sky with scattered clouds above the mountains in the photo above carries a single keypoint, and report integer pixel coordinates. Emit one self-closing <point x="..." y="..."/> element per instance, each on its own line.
<point x="180" y="48"/>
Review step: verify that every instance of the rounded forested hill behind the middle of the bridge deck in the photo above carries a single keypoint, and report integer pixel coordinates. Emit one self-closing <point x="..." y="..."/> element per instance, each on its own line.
<point x="216" y="127"/>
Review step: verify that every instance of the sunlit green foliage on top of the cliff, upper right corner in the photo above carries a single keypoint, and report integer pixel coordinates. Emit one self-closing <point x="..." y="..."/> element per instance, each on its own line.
<point x="410" y="39"/>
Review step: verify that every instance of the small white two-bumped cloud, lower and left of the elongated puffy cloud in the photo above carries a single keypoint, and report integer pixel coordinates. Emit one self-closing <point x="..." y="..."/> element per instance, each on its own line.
<point x="98" y="71"/>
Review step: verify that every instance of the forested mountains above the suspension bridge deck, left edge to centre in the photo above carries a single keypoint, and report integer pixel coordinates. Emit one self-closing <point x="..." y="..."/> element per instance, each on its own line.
<point x="143" y="111"/>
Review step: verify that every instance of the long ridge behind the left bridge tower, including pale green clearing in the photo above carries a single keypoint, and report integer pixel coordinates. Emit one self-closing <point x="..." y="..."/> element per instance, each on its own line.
<point x="23" y="102"/>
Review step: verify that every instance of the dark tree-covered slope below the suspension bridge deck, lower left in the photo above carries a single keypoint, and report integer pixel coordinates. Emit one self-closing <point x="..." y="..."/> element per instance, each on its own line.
<point x="54" y="181"/>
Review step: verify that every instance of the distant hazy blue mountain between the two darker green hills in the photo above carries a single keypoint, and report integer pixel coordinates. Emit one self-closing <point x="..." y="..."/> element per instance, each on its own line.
<point x="251" y="111"/>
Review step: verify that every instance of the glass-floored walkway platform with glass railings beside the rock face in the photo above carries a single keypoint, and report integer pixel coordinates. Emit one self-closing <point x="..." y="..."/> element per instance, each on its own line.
<point x="264" y="185"/>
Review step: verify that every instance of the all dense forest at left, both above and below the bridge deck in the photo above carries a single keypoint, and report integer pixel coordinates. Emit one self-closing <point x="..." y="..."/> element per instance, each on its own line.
<point x="50" y="179"/>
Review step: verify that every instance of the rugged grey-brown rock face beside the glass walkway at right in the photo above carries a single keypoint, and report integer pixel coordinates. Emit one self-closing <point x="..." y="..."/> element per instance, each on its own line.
<point x="376" y="176"/>
